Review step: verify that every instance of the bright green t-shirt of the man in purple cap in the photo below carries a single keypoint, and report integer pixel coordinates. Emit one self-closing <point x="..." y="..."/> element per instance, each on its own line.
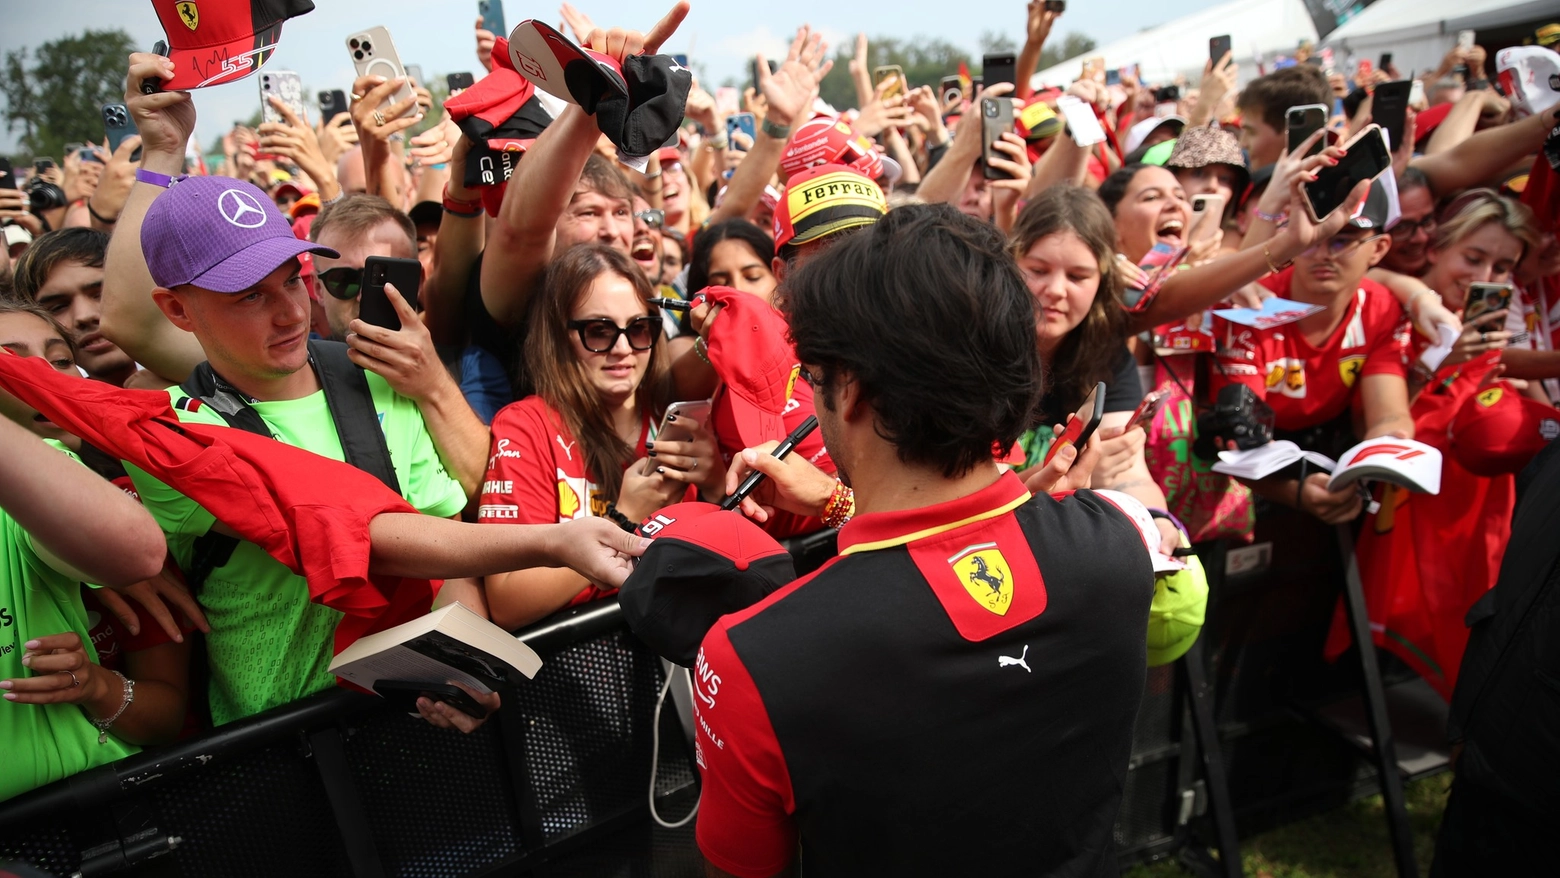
<point x="269" y="645"/>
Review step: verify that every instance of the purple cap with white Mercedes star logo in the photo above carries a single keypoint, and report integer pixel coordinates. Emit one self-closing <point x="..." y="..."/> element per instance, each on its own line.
<point x="218" y="233"/>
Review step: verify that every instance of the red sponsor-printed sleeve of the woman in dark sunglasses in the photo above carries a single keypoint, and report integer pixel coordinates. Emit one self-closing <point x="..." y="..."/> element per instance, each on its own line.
<point x="522" y="483"/>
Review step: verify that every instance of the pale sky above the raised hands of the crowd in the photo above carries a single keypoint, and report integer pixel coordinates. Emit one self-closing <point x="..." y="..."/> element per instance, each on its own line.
<point x="720" y="38"/>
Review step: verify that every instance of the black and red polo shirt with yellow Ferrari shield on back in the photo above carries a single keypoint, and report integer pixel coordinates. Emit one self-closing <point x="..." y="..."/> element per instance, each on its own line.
<point x="954" y="695"/>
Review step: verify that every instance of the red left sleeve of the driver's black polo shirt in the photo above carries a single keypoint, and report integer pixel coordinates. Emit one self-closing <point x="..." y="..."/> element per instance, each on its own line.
<point x="746" y="804"/>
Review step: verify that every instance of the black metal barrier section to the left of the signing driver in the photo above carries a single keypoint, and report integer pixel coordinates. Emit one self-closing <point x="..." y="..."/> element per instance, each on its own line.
<point x="338" y="784"/>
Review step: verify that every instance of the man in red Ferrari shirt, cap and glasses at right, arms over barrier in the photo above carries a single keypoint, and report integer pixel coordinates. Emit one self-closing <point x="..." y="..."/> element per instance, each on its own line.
<point x="1349" y="359"/>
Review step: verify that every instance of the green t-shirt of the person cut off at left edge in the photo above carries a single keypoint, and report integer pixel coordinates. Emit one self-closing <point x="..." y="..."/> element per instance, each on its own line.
<point x="41" y="743"/>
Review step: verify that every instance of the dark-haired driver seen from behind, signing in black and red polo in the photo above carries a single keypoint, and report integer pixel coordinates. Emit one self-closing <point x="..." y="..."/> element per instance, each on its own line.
<point x="955" y="692"/>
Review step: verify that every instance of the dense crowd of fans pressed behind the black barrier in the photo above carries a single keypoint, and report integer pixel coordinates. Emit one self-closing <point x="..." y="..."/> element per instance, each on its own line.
<point x="561" y="314"/>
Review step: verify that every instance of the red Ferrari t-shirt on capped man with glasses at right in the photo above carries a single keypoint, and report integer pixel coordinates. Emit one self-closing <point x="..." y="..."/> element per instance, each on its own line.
<point x="1306" y="384"/>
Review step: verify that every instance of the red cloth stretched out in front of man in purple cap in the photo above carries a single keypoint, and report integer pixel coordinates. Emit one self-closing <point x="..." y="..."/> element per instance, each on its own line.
<point x="308" y="512"/>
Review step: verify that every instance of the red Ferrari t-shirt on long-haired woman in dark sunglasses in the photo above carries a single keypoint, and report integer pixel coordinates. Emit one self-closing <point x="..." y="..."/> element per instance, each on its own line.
<point x="537" y="473"/>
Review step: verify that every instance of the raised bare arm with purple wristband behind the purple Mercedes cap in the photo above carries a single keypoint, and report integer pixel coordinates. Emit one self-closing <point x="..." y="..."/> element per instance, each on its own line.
<point x="130" y="319"/>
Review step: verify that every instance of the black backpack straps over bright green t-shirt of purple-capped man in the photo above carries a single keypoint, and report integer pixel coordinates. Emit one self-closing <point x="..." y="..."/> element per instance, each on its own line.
<point x="353" y="411"/>
